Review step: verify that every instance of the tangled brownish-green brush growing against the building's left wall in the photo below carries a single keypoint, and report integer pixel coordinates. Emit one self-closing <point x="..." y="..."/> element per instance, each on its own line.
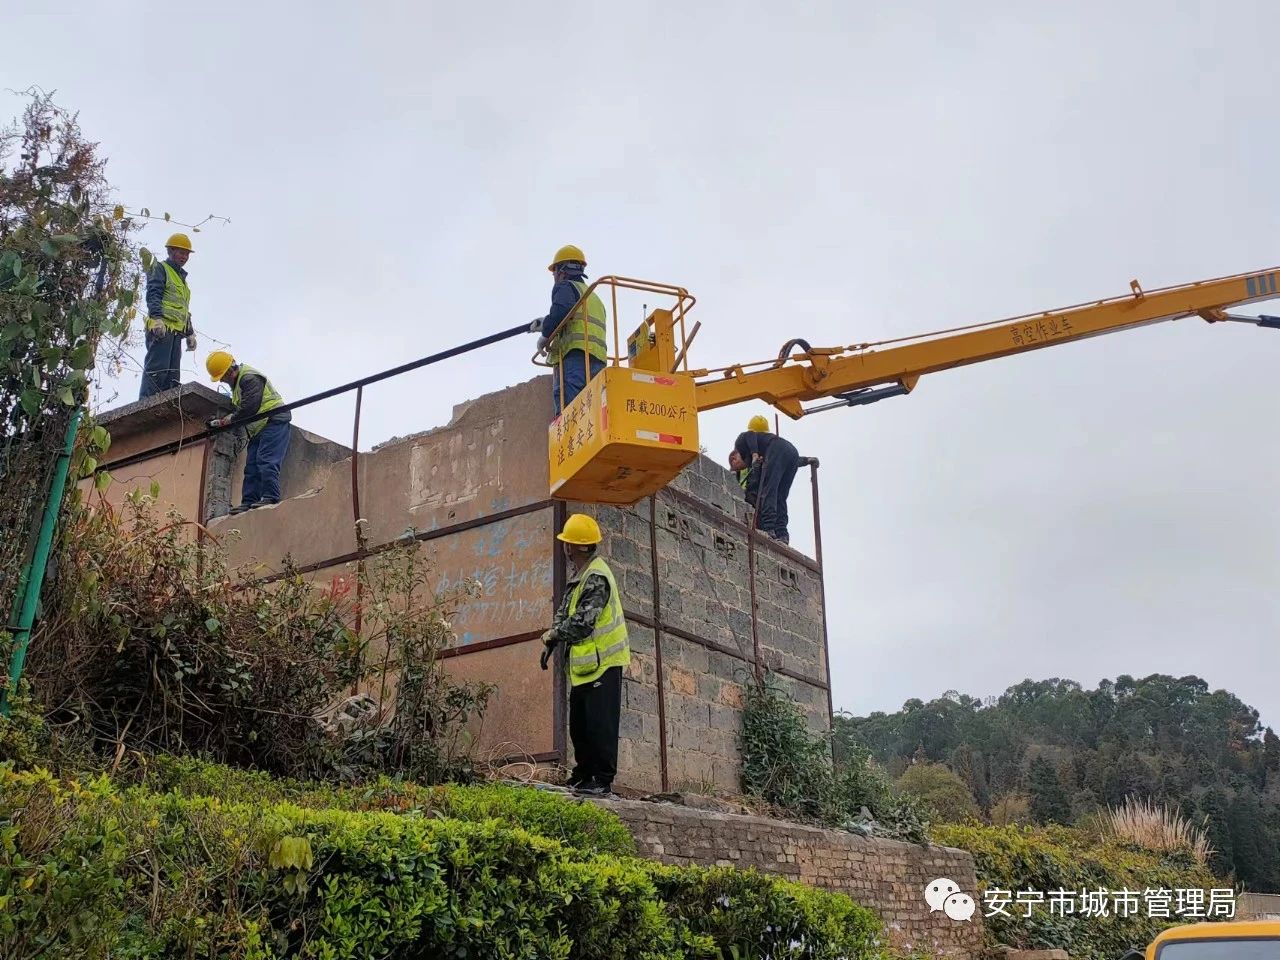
<point x="152" y="643"/>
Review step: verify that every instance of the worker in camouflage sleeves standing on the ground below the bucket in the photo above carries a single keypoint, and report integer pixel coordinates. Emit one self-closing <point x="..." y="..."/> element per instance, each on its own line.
<point x="595" y="632"/>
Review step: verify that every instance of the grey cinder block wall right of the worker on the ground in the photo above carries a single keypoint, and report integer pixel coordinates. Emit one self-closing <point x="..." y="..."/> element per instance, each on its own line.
<point x="683" y="561"/>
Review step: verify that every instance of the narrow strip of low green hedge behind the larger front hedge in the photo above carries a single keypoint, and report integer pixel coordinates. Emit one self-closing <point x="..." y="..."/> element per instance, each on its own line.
<point x="575" y="824"/>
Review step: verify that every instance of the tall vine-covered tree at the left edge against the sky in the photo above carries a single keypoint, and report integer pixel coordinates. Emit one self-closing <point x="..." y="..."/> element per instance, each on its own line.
<point x="68" y="284"/>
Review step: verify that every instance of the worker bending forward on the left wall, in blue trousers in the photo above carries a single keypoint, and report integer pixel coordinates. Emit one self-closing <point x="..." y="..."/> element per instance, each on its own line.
<point x="268" y="437"/>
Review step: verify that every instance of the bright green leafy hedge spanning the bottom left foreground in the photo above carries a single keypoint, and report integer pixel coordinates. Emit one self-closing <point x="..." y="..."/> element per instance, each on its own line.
<point x="92" y="871"/>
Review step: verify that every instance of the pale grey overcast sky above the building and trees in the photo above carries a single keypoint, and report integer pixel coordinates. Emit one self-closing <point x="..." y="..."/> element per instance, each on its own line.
<point x="397" y="176"/>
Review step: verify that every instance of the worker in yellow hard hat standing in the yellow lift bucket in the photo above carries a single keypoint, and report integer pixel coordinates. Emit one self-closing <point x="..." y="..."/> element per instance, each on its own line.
<point x="577" y="348"/>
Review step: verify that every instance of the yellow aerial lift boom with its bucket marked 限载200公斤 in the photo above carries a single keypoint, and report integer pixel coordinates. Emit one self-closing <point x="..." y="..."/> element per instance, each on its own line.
<point x="636" y="427"/>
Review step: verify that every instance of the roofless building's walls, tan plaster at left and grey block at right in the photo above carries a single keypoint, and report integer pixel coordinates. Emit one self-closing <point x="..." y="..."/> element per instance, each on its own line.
<point x="476" y="496"/>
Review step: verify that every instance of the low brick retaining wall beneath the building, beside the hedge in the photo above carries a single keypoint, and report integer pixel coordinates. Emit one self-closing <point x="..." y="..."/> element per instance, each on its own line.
<point x="883" y="875"/>
